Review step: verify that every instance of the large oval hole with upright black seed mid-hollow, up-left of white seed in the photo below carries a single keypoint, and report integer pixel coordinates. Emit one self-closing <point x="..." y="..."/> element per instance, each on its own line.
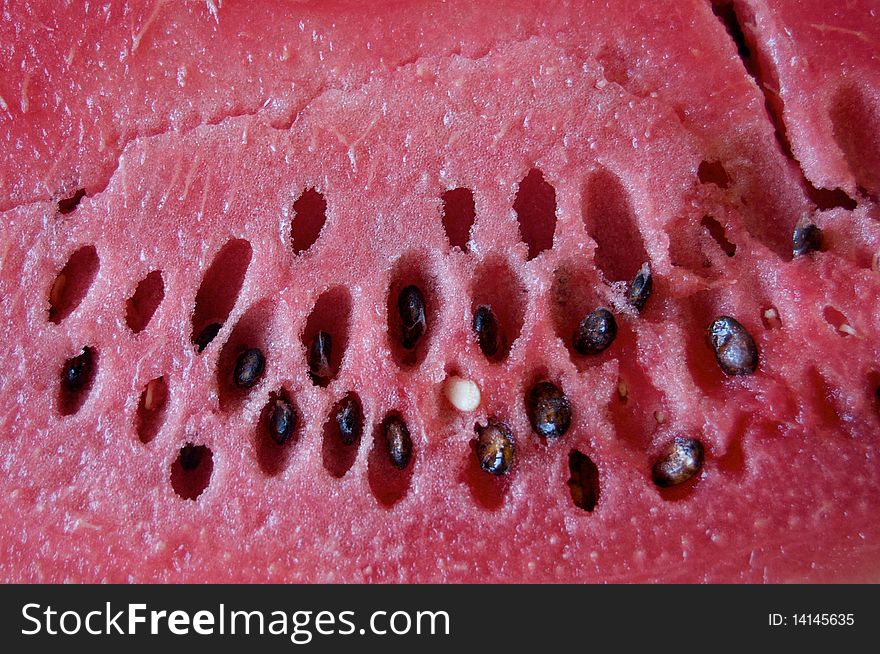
<point x="413" y="310"/>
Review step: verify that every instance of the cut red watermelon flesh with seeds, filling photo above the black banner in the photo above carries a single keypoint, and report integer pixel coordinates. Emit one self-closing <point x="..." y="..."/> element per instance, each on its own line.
<point x="246" y="246"/>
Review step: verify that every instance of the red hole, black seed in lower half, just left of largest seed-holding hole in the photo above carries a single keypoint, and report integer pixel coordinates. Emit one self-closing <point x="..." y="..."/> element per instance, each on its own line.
<point x="325" y="336"/>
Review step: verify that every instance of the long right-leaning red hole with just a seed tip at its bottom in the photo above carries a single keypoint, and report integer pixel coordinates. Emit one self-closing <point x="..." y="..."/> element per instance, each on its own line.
<point x="219" y="291"/>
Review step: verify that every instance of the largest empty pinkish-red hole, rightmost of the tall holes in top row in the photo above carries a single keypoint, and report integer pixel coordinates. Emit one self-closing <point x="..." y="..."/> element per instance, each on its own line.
<point x="612" y="224"/>
